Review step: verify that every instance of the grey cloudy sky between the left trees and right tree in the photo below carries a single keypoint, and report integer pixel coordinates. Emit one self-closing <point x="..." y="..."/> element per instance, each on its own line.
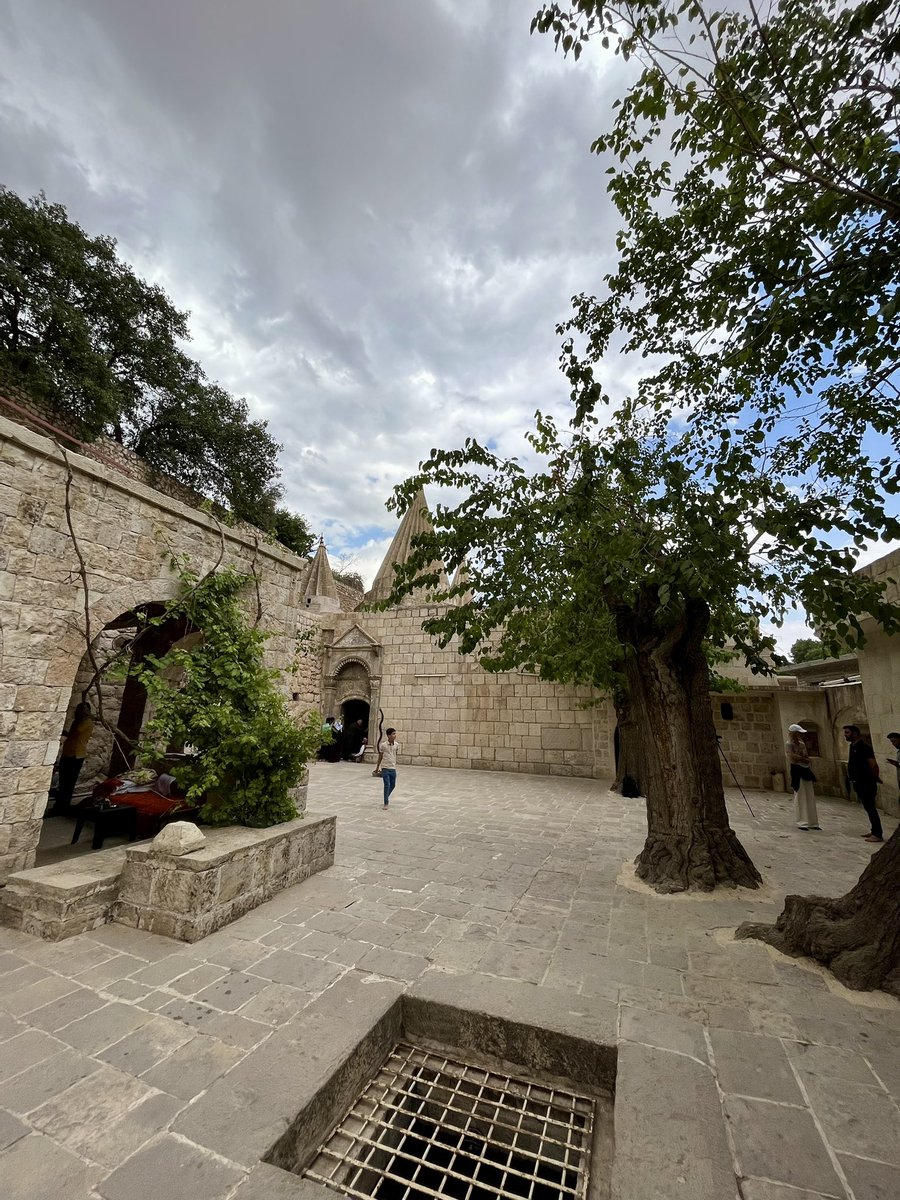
<point x="375" y="213"/>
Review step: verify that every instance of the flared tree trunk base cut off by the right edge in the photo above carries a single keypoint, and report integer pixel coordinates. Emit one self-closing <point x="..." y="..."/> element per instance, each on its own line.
<point x="856" y="935"/>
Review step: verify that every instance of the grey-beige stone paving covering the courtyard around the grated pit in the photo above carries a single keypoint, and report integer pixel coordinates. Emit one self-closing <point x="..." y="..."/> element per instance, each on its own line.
<point x="109" y="1040"/>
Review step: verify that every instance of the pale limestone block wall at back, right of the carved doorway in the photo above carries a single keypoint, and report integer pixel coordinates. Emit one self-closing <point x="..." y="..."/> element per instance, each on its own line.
<point x="451" y="713"/>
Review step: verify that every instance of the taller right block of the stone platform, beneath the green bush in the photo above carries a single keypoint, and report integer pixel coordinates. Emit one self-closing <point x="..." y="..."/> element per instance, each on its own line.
<point x="191" y="896"/>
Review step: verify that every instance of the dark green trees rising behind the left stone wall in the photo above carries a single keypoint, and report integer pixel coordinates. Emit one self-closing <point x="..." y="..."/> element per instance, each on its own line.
<point x="81" y="332"/>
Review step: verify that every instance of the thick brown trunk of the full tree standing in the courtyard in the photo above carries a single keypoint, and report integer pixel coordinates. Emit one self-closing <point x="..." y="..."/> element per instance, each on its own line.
<point x="689" y="843"/>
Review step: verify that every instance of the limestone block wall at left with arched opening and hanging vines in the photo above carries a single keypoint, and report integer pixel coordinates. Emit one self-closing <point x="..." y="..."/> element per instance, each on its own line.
<point x="128" y="533"/>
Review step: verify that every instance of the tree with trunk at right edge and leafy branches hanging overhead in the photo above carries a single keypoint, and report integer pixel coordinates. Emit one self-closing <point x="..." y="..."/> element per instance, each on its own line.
<point x="759" y="281"/>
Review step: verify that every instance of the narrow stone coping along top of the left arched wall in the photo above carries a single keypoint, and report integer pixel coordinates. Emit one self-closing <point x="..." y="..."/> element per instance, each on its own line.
<point x="49" y="449"/>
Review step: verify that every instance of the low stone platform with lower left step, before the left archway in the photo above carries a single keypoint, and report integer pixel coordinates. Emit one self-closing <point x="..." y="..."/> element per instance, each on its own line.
<point x="187" y="897"/>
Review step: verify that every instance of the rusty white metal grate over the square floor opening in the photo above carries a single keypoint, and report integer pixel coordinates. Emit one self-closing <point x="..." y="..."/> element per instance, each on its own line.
<point x="428" y="1126"/>
